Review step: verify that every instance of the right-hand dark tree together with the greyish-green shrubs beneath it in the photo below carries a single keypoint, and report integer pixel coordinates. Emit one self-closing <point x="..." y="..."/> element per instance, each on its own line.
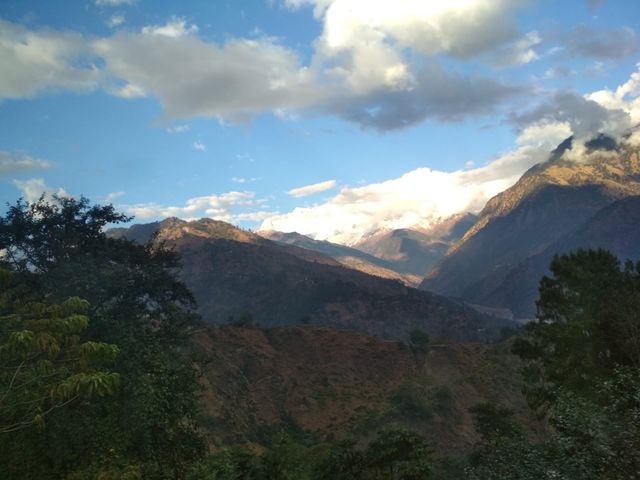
<point x="581" y="366"/>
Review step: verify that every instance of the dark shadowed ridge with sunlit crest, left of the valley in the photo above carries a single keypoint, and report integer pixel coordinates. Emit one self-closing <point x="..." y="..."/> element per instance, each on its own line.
<point x="236" y="273"/>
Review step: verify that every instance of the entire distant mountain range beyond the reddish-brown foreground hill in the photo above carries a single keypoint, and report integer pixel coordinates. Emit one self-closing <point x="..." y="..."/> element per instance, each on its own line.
<point x="492" y="262"/>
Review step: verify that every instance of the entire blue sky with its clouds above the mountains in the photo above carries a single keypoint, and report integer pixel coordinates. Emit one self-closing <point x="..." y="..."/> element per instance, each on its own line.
<point x="333" y="118"/>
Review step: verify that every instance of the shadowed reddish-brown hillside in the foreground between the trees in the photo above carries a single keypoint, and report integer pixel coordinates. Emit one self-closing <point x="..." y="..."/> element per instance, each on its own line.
<point x="320" y="384"/>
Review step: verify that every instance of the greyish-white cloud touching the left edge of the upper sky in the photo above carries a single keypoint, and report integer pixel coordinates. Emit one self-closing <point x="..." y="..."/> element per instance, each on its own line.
<point x="40" y="61"/>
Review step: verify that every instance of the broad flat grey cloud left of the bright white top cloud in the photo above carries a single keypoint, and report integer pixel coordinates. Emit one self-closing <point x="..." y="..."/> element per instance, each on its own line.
<point x="194" y="78"/>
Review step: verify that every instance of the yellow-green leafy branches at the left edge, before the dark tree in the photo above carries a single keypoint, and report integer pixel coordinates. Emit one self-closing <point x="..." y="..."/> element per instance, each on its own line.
<point x="44" y="366"/>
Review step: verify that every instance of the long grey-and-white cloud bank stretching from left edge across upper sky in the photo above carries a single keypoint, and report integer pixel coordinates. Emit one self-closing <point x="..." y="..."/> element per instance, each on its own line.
<point x="375" y="64"/>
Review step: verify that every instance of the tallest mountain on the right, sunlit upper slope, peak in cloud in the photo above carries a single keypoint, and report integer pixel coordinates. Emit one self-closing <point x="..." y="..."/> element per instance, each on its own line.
<point x="545" y="212"/>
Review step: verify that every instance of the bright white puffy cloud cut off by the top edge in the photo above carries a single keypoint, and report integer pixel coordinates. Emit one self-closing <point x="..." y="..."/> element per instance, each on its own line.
<point x="460" y="28"/>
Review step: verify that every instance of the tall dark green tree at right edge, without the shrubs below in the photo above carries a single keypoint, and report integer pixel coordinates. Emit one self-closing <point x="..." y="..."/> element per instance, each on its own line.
<point x="587" y="324"/>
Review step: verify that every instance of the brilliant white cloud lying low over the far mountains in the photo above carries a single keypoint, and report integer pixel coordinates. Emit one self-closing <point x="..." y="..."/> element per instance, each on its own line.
<point x="420" y="197"/>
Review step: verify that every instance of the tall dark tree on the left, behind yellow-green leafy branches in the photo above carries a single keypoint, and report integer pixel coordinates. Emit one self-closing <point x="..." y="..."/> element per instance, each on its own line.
<point x="58" y="249"/>
